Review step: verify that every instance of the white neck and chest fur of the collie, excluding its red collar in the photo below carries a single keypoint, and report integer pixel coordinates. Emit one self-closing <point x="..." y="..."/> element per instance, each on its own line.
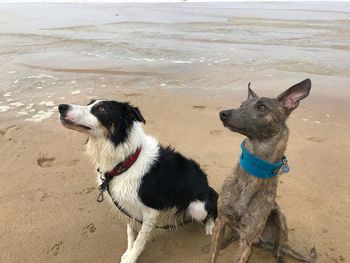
<point x="124" y="188"/>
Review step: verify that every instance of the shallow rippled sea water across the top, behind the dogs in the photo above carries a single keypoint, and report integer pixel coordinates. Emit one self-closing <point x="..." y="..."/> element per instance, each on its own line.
<point x="52" y="51"/>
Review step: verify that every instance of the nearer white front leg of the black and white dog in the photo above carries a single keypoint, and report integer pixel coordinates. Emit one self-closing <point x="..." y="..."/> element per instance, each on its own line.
<point x="149" y="222"/>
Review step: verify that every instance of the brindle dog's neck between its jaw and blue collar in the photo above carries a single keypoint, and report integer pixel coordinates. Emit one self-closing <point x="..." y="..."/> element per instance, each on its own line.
<point x="271" y="149"/>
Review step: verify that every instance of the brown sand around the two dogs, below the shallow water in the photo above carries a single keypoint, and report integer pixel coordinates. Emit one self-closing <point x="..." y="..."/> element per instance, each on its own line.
<point x="48" y="202"/>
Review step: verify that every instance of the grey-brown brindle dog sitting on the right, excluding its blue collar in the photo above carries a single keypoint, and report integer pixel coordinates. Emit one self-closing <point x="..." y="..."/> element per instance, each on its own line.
<point x="247" y="204"/>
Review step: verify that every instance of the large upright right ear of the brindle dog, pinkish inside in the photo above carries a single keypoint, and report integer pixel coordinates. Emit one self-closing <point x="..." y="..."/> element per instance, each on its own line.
<point x="291" y="97"/>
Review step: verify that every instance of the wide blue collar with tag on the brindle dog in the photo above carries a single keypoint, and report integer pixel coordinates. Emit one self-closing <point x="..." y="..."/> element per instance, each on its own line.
<point x="260" y="168"/>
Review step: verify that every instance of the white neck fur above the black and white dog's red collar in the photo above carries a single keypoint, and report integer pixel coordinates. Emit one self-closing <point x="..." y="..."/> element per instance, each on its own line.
<point x="105" y="155"/>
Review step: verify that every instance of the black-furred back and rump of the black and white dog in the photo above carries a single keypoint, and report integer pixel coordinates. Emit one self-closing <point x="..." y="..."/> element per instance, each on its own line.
<point x="176" y="181"/>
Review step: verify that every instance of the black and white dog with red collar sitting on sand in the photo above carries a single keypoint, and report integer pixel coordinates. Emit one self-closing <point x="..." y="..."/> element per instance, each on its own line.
<point x="145" y="180"/>
